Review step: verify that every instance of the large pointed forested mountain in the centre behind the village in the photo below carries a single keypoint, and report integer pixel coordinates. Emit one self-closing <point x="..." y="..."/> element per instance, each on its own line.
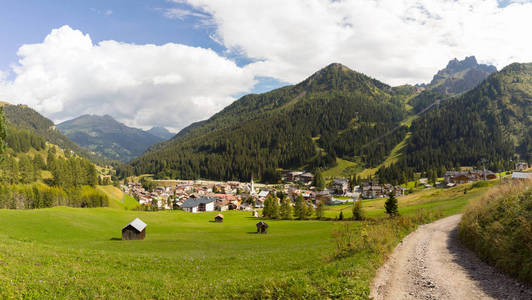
<point x="336" y="112"/>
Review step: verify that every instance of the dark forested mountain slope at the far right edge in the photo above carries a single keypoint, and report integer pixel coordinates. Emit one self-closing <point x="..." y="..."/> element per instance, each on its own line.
<point x="491" y="122"/>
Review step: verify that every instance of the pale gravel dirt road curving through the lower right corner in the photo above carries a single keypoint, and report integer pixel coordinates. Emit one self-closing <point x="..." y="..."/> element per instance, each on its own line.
<point x="430" y="263"/>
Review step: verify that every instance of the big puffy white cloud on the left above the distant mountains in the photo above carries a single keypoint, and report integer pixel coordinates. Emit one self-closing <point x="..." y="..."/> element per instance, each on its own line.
<point x="142" y="85"/>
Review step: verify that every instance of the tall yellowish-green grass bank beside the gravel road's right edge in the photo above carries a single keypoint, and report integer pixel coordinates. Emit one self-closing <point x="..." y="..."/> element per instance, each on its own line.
<point x="498" y="227"/>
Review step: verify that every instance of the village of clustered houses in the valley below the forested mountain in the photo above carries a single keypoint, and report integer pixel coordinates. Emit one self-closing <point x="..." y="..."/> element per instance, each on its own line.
<point x="202" y="195"/>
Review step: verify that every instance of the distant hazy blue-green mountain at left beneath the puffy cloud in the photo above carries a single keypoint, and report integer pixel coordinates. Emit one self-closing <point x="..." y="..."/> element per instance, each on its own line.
<point x="105" y="135"/>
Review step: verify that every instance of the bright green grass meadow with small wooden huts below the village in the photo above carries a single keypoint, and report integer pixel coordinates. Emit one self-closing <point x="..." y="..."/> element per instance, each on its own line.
<point x="77" y="253"/>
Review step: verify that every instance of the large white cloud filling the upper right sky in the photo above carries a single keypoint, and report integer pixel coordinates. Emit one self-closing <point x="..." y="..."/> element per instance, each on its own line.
<point x="396" y="41"/>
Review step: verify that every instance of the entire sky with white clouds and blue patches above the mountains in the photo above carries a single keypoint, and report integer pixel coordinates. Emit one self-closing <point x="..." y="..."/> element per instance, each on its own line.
<point x="174" y="62"/>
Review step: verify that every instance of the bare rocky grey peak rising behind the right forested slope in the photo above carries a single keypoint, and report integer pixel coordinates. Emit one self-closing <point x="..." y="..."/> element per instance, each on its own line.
<point x="457" y="77"/>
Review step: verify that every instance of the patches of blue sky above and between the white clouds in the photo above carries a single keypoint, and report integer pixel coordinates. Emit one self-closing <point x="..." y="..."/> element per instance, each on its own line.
<point x="132" y="21"/>
